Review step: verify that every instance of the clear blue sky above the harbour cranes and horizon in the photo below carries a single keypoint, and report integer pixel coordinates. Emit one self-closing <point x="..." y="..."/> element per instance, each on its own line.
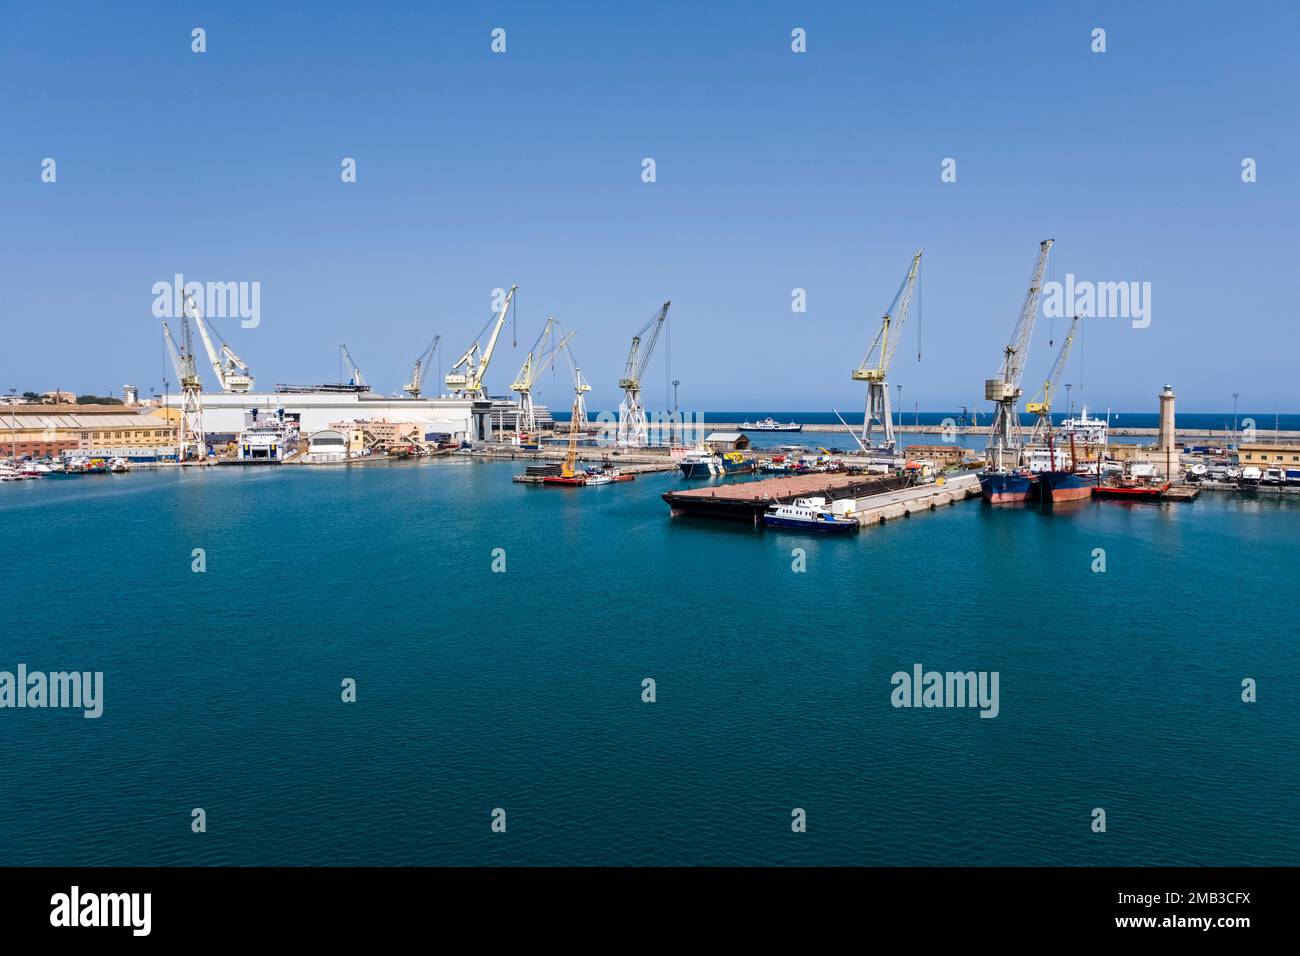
<point x="774" y="171"/>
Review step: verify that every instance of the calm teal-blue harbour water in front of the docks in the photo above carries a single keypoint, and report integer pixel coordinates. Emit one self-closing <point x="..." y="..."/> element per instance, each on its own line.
<point x="479" y="690"/>
